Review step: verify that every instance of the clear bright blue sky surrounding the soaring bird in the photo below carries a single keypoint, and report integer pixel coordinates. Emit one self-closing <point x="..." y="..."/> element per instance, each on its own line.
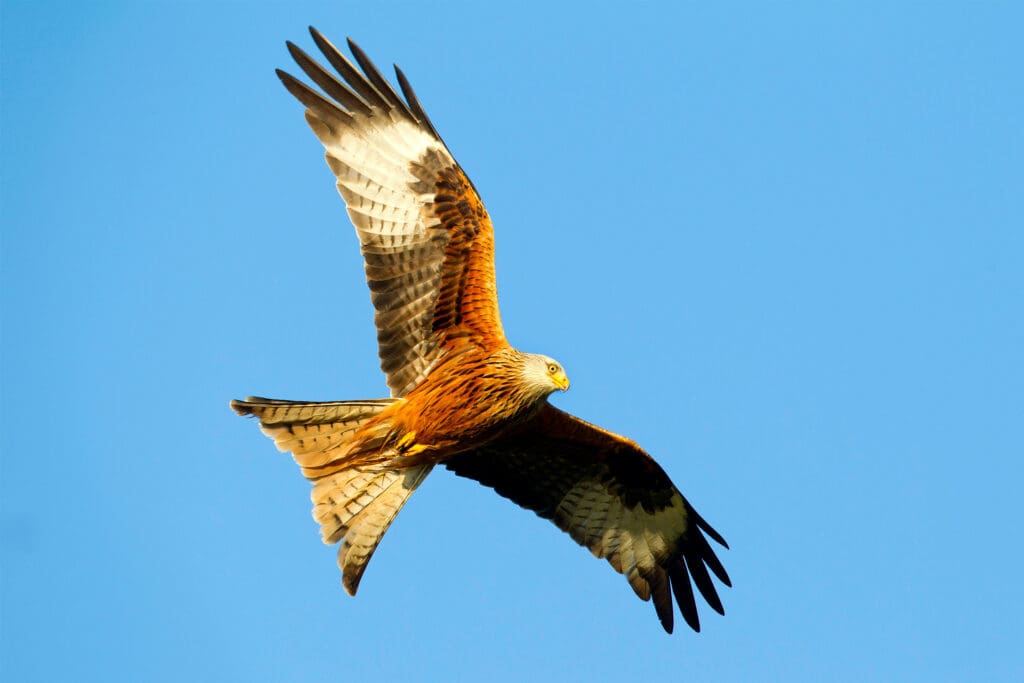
<point x="779" y="245"/>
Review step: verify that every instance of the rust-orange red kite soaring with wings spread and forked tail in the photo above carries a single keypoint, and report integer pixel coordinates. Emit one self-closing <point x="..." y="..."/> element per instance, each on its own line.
<point x="461" y="396"/>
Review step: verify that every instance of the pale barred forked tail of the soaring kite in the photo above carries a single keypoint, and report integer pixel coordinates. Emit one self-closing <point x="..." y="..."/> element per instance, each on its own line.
<point x="355" y="502"/>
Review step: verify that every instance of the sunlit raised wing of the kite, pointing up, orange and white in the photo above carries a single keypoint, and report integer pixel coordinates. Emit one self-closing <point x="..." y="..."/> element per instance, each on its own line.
<point x="426" y="239"/>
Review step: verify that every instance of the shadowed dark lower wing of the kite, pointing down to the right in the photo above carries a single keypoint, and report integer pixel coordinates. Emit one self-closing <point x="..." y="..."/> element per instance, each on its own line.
<point x="613" y="498"/>
